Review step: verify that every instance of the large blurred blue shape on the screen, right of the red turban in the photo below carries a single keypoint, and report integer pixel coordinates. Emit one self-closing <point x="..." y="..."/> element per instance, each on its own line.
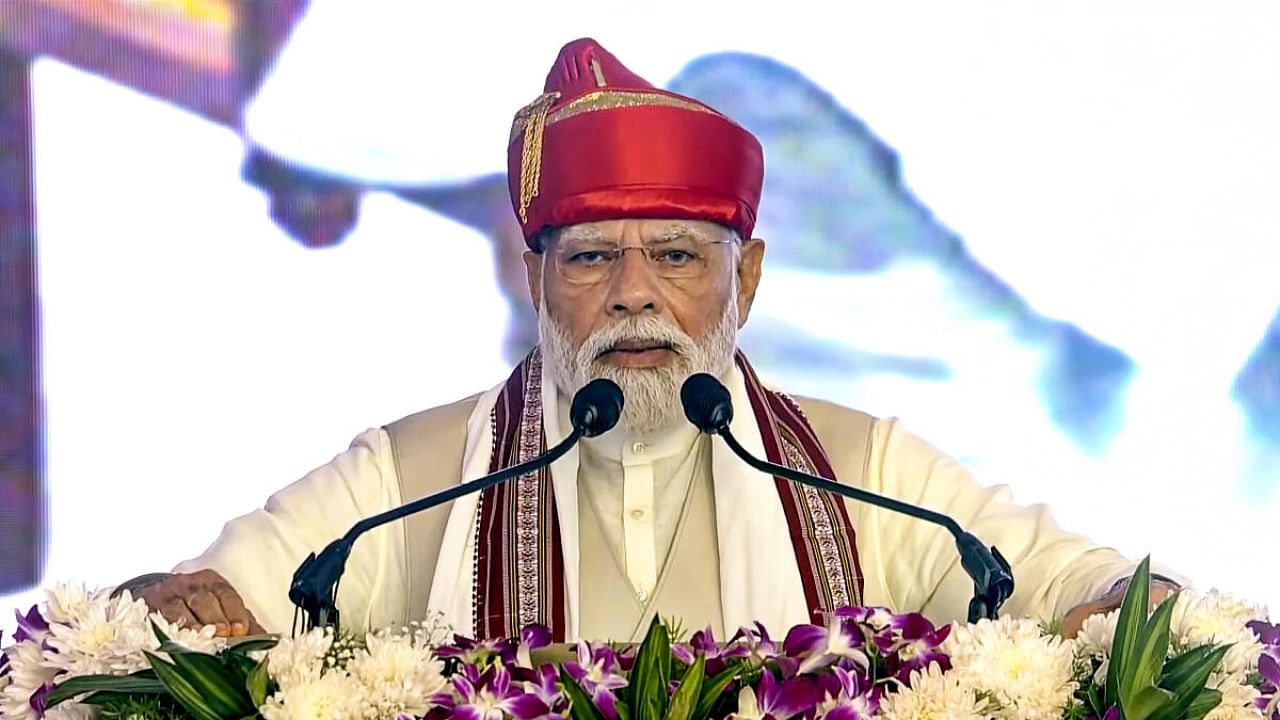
<point x="835" y="202"/>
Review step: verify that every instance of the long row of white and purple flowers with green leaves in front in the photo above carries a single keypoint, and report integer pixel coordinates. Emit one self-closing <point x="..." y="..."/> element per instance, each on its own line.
<point x="88" y="654"/>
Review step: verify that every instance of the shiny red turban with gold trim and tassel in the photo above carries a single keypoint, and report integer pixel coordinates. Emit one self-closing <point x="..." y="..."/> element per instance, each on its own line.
<point x="604" y="144"/>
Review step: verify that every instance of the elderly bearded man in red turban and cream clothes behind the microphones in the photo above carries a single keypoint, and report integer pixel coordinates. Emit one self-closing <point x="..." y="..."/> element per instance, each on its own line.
<point x="638" y="208"/>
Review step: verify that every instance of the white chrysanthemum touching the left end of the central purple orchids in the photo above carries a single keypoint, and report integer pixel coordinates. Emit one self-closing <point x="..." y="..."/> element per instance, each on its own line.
<point x="400" y="675"/>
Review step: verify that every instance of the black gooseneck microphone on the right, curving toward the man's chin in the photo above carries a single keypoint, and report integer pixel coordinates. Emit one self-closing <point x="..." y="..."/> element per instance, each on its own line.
<point x="710" y="408"/>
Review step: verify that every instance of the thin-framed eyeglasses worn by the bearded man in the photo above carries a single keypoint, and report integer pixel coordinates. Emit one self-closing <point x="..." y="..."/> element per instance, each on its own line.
<point x="587" y="263"/>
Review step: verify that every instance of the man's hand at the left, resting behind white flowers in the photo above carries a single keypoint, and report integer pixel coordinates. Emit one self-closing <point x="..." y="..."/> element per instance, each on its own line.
<point x="198" y="599"/>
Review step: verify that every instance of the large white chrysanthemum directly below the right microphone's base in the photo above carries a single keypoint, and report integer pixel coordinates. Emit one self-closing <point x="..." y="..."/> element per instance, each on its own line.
<point x="1030" y="676"/>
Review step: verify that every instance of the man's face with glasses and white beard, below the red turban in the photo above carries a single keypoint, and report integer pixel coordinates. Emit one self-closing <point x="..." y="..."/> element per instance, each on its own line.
<point x="643" y="318"/>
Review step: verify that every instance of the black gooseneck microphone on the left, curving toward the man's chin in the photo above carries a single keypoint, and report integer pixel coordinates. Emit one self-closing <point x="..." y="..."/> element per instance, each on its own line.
<point x="314" y="590"/>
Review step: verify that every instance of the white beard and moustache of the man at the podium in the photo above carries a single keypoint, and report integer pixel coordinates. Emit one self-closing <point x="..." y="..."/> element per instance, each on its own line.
<point x="651" y="395"/>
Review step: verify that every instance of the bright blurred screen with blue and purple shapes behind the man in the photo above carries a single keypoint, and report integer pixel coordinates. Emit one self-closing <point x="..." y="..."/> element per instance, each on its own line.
<point x="237" y="234"/>
